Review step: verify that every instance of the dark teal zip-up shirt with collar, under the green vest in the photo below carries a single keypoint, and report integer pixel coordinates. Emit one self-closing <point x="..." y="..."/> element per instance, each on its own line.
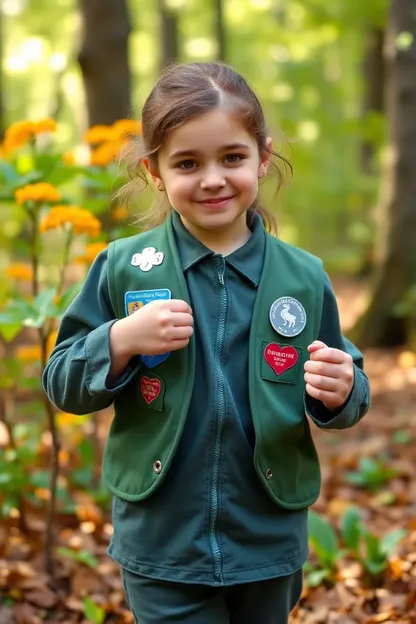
<point x="210" y="521"/>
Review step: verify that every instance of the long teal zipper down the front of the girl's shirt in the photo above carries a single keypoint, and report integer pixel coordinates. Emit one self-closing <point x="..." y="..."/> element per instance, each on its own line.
<point x="220" y="416"/>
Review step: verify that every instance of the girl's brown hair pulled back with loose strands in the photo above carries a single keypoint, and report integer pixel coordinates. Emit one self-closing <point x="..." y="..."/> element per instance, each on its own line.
<point x="183" y="92"/>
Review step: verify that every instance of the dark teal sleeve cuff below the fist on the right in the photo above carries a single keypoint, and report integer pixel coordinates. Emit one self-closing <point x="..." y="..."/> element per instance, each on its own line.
<point x="346" y="416"/>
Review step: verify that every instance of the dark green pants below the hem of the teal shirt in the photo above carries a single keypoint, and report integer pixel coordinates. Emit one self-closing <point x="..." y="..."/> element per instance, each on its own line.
<point x="162" y="602"/>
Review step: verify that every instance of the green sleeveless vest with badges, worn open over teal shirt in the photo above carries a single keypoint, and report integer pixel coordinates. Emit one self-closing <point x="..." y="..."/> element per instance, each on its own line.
<point x="151" y="410"/>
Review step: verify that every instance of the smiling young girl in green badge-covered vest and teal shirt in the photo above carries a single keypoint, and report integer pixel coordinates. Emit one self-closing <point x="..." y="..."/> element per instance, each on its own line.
<point x="217" y="344"/>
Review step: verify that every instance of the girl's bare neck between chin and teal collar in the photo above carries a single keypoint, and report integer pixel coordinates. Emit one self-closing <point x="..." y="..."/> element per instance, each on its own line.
<point x="222" y="242"/>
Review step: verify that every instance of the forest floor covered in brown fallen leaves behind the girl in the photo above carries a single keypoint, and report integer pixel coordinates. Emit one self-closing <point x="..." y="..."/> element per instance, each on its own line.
<point x="387" y="435"/>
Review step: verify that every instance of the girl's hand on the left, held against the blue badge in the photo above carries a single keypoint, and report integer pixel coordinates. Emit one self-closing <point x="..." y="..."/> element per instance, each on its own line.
<point x="158" y="327"/>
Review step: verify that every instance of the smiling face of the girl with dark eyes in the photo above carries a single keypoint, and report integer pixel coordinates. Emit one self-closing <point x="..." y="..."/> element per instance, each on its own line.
<point x="209" y="168"/>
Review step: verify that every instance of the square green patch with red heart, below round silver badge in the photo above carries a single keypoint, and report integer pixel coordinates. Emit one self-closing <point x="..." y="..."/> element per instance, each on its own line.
<point x="281" y="363"/>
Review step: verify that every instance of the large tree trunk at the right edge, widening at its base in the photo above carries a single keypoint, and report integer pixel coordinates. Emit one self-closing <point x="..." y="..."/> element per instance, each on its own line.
<point x="396" y="262"/>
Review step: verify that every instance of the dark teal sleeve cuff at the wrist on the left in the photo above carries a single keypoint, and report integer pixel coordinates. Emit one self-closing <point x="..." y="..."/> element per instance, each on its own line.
<point x="97" y="347"/>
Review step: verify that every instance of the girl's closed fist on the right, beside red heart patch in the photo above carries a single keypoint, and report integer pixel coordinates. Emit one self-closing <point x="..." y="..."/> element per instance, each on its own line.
<point x="329" y="375"/>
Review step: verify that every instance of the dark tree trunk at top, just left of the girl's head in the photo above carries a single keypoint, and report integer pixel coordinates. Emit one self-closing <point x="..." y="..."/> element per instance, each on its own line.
<point x="103" y="59"/>
